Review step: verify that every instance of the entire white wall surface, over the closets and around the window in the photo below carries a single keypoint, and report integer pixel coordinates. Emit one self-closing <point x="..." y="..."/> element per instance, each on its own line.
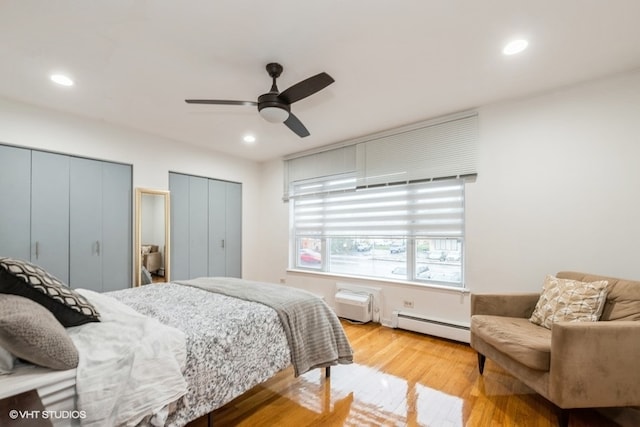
<point x="557" y="186"/>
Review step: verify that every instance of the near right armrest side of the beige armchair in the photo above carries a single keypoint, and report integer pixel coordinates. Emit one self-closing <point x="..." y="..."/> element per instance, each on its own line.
<point x="595" y="364"/>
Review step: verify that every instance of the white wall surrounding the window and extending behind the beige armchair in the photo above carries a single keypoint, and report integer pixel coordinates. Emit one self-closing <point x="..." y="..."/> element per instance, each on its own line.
<point x="557" y="187"/>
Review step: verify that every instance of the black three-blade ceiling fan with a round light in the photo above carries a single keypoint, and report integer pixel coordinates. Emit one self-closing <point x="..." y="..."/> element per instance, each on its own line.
<point x="275" y="106"/>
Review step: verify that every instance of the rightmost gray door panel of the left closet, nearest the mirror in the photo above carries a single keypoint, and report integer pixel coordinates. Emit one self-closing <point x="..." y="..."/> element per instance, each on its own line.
<point x="116" y="226"/>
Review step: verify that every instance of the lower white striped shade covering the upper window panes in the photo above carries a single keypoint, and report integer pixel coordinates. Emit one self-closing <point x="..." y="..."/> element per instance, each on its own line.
<point x="418" y="210"/>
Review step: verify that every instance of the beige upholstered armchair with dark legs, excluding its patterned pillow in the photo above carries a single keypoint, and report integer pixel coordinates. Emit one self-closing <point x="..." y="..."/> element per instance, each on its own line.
<point x="573" y="364"/>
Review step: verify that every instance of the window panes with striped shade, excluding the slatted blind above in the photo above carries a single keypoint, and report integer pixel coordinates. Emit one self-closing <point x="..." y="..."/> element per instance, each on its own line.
<point x="407" y="231"/>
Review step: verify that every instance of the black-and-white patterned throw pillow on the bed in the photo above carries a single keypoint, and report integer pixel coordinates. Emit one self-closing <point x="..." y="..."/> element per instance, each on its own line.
<point x="30" y="281"/>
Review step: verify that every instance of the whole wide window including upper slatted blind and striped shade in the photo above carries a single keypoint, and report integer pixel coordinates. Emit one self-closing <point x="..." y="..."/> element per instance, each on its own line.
<point x="387" y="206"/>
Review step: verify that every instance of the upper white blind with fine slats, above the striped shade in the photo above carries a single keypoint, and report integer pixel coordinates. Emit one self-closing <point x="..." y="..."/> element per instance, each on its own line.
<point x="440" y="148"/>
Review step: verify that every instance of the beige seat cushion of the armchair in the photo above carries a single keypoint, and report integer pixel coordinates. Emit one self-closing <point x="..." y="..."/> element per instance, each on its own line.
<point x="517" y="338"/>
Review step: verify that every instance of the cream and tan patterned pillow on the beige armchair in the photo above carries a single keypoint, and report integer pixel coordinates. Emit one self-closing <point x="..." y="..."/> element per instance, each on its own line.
<point x="564" y="300"/>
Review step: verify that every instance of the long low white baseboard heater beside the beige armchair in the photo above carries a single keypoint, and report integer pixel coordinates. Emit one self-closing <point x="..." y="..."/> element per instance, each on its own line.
<point x="425" y="325"/>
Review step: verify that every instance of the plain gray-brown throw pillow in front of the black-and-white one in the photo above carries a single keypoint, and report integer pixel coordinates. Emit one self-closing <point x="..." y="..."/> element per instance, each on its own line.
<point x="29" y="331"/>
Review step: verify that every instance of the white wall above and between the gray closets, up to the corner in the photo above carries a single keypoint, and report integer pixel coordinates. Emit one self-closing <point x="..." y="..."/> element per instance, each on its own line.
<point x="152" y="157"/>
